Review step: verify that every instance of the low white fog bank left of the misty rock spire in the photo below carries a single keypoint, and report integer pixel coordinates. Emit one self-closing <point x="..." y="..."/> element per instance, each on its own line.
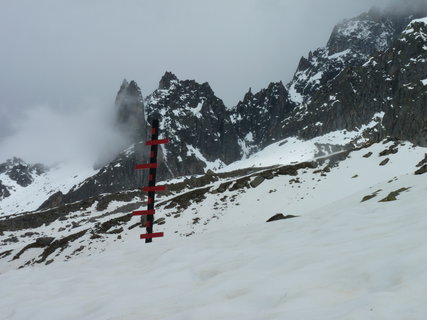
<point x="49" y="135"/>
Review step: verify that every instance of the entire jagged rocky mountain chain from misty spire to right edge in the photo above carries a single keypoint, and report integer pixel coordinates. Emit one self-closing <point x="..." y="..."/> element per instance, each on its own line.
<point x="367" y="81"/>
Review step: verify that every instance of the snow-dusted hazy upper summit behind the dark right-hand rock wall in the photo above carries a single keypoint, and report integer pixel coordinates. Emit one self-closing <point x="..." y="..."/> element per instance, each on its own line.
<point x="352" y="43"/>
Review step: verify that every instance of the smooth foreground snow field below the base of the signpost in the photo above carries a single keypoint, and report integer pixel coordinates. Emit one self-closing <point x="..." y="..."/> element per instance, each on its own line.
<point x="340" y="264"/>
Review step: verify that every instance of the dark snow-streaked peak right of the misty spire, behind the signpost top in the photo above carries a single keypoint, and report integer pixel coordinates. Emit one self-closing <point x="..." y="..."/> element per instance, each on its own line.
<point x="197" y="123"/>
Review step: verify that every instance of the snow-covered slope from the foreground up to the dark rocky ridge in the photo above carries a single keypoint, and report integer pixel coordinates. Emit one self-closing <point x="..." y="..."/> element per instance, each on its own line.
<point x="340" y="258"/>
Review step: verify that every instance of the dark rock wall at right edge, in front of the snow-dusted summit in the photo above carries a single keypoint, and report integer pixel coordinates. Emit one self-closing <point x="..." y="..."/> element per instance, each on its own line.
<point x="387" y="92"/>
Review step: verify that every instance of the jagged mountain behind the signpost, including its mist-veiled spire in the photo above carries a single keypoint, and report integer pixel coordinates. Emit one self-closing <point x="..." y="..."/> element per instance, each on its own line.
<point x="196" y="121"/>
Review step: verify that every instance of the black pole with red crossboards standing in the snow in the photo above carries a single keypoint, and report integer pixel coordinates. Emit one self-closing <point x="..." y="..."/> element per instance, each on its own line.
<point x="151" y="188"/>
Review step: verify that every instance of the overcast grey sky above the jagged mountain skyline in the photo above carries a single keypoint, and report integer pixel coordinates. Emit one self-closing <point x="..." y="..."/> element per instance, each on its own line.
<point x="63" y="60"/>
